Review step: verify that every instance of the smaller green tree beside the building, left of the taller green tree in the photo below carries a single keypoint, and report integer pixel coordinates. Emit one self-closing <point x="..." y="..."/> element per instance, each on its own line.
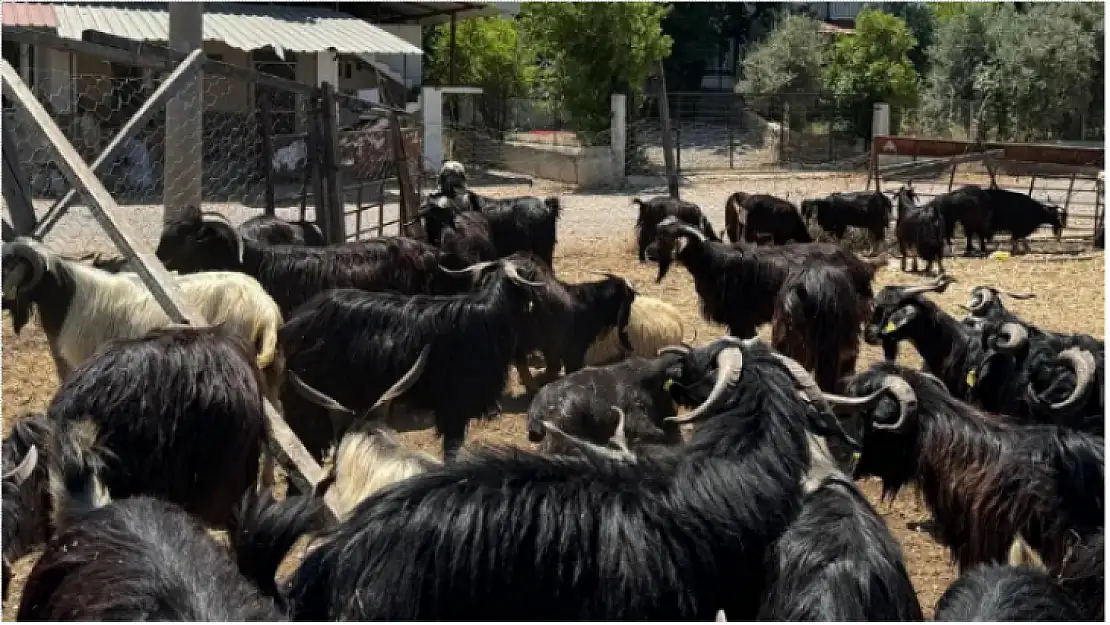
<point x="490" y="54"/>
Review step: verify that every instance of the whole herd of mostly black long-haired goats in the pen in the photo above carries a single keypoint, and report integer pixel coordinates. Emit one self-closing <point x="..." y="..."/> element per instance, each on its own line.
<point x="157" y="431"/>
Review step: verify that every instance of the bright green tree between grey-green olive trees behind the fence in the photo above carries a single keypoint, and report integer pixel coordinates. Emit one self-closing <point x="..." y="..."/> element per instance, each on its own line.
<point x="873" y="66"/>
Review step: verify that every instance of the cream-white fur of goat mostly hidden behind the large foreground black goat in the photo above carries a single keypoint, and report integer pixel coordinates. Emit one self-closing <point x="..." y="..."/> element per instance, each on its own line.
<point x="370" y="459"/>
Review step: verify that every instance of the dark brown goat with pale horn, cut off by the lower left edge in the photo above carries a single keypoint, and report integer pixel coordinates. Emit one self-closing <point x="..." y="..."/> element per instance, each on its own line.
<point x="26" y="505"/>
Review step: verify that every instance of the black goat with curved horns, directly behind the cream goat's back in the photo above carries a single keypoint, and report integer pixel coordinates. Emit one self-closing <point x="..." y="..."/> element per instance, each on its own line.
<point x="292" y="275"/>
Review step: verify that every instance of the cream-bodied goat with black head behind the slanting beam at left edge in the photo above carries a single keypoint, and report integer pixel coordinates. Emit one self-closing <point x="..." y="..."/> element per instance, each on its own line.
<point x="82" y="308"/>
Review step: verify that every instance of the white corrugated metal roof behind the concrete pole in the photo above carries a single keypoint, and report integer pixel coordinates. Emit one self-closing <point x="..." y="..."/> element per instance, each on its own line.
<point x="246" y="27"/>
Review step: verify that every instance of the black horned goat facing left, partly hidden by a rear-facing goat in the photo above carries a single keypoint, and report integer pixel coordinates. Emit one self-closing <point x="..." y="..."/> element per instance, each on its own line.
<point x="739" y="287"/>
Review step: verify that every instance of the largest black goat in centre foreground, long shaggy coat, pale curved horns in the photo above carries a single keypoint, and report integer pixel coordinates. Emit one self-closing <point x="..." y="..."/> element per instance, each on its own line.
<point x="509" y="535"/>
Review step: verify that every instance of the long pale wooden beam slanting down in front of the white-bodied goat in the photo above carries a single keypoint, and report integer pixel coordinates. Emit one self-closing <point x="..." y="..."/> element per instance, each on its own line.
<point x="305" y="471"/>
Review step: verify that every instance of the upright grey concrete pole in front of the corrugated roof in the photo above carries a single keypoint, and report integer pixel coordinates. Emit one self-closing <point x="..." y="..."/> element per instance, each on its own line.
<point x="185" y="116"/>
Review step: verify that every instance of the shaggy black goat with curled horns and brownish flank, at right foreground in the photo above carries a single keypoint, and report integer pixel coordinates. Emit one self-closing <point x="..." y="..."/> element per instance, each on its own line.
<point x="986" y="480"/>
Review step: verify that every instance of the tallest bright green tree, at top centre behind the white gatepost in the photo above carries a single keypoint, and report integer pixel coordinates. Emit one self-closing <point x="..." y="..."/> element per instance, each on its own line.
<point x="590" y="51"/>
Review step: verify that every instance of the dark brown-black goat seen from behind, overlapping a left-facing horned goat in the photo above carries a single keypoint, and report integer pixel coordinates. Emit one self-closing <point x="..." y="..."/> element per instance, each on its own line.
<point x="818" y="320"/>
